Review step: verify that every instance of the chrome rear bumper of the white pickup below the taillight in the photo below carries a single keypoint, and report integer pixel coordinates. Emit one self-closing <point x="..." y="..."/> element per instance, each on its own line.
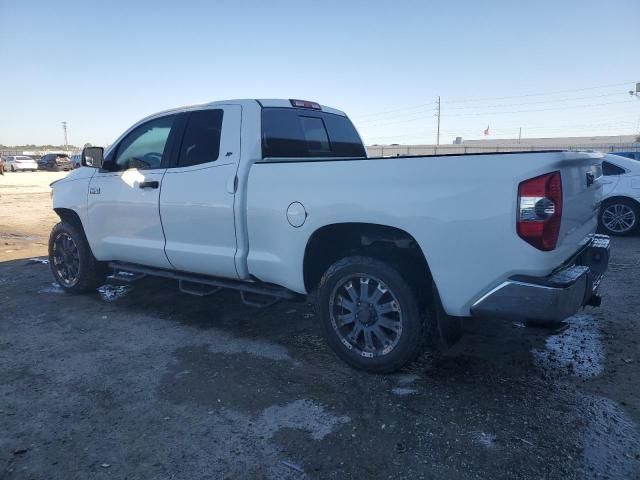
<point x="555" y="297"/>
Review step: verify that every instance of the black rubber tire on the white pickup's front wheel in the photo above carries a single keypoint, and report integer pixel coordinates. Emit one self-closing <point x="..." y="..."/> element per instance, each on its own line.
<point x="90" y="272"/>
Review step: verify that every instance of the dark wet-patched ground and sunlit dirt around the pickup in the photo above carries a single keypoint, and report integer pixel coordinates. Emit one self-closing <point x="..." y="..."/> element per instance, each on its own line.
<point x="142" y="381"/>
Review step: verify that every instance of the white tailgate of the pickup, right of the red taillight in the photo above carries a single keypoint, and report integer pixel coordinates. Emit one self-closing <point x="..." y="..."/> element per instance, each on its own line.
<point x="581" y="194"/>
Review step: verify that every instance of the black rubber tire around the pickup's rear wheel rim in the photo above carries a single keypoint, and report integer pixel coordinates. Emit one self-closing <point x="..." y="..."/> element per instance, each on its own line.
<point x="414" y="327"/>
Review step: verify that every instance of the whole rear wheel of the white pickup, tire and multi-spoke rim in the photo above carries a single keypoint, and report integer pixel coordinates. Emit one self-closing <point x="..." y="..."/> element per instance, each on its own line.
<point x="370" y="315"/>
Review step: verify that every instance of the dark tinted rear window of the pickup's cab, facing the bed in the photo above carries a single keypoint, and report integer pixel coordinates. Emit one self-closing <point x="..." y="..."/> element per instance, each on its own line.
<point x="302" y="133"/>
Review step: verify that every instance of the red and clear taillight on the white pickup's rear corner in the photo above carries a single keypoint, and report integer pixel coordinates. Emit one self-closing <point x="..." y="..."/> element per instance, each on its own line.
<point x="540" y="210"/>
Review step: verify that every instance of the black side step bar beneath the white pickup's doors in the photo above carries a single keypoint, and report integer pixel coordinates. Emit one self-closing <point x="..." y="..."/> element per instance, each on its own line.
<point x="201" y="285"/>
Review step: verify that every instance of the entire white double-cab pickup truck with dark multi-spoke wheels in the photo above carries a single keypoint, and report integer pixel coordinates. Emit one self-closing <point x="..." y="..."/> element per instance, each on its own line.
<point x="277" y="198"/>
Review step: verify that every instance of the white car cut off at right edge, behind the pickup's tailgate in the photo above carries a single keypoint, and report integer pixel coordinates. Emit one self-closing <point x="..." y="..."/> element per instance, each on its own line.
<point x="620" y="208"/>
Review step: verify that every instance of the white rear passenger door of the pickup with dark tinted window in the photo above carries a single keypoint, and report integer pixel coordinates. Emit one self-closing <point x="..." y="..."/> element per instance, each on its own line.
<point x="196" y="201"/>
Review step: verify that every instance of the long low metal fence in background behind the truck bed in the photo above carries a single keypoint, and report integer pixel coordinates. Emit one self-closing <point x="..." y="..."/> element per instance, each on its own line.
<point x="416" y="150"/>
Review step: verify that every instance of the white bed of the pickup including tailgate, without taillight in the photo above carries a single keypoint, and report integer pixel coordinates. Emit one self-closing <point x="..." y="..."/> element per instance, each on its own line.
<point x="460" y="209"/>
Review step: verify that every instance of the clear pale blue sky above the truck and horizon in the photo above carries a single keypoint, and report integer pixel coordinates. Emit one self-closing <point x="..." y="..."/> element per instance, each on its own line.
<point x="102" y="65"/>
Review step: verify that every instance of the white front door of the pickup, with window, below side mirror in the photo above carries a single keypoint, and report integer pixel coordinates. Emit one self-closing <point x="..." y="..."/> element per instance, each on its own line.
<point x="123" y="206"/>
